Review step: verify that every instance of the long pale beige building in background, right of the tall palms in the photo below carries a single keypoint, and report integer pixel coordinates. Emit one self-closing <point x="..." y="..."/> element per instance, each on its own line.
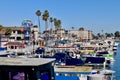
<point x="79" y="35"/>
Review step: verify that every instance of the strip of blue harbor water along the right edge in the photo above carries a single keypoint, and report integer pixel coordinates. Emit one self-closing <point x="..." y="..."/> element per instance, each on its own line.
<point x="116" y="65"/>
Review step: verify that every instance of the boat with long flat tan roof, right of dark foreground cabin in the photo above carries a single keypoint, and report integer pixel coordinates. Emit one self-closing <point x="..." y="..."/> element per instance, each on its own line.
<point x="80" y="72"/>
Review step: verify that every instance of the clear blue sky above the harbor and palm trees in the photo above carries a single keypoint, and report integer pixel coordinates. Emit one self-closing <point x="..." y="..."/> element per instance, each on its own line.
<point x="95" y="15"/>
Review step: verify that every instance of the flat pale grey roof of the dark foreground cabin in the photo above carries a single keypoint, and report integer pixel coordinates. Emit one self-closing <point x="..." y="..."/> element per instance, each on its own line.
<point x="5" y="61"/>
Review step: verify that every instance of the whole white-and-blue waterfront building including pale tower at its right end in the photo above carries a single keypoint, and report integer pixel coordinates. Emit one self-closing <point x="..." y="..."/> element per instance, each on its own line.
<point x="21" y="37"/>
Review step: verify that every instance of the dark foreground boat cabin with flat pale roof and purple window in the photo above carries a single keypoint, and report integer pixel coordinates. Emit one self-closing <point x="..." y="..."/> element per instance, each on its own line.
<point x="26" y="69"/>
